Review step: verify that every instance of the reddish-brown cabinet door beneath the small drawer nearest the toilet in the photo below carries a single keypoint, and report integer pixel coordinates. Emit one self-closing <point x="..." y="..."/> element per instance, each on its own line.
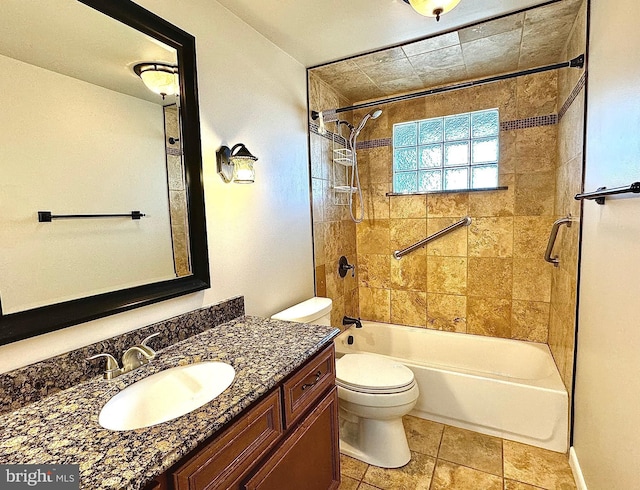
<point x="309" y="458"/>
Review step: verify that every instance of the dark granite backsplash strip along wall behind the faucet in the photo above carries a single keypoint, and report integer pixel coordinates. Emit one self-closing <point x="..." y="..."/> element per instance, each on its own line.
<point x="34" y="382"/>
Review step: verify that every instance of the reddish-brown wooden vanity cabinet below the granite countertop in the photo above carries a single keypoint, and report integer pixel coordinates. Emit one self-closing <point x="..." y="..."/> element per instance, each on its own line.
<point x="289" y="440"/>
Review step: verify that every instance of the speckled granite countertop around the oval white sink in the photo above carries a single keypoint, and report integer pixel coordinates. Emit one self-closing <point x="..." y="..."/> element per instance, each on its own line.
<point x="63" y="428"/>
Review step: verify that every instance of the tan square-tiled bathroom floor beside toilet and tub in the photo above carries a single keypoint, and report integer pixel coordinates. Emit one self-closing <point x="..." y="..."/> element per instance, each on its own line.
<point x="445" y="457"/>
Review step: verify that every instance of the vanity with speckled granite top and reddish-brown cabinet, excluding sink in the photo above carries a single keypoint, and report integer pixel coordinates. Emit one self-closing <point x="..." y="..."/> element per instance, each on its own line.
<point x="276" y="426"/>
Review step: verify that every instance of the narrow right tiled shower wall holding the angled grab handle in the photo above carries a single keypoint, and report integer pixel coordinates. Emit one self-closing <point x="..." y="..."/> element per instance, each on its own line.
<point x="569" y="182"/>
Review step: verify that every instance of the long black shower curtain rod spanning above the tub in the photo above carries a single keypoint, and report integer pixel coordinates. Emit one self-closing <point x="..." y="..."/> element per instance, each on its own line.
<point x="577" y="62"/>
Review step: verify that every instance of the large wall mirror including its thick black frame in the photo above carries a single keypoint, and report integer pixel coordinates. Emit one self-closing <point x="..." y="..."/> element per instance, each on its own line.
<point x="102" y="197"/>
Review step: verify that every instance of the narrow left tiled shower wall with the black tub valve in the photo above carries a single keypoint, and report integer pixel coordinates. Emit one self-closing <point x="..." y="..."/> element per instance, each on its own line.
<point x="334" y="234"/>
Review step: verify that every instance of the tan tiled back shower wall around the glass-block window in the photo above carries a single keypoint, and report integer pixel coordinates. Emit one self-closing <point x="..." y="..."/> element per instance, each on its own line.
<point x="489" y="278"/>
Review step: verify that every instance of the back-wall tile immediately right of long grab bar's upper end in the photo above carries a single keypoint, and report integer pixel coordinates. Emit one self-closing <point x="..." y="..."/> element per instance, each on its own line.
<point x="491" y="237"/>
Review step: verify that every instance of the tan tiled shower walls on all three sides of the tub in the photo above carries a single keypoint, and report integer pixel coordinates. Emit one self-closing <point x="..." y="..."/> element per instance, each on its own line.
<point x="490" y="278"/>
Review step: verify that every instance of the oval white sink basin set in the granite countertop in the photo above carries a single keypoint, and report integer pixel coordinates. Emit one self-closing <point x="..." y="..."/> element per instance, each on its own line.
<point x="166" y="395"/>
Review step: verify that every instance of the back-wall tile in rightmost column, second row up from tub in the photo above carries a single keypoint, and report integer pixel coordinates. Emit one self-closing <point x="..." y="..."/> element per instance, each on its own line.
<point x="532" y="280"/>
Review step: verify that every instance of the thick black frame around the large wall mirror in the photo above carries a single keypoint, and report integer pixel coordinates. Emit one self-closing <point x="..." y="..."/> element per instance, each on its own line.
<point x="37" y="321"/>
